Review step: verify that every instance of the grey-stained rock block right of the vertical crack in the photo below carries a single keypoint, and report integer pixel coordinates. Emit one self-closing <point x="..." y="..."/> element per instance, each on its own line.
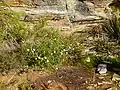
<point x="89" y="9"/>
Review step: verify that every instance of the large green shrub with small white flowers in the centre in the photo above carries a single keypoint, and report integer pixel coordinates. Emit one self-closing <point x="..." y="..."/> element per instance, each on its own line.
<point x="48" y="48"/>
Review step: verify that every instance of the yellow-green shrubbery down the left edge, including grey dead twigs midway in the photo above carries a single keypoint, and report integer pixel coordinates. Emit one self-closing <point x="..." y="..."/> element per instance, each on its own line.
<point x="12" y="33"/>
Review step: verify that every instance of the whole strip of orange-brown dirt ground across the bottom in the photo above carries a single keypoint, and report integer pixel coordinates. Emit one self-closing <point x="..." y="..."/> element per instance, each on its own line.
<point x="64" y="78"/>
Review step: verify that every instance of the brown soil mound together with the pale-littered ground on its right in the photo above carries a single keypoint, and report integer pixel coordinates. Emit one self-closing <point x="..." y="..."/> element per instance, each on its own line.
<point x="72" y="78"/>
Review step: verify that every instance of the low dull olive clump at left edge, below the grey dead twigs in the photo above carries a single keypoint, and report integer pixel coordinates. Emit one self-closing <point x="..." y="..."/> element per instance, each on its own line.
<point x="11" y="60"/>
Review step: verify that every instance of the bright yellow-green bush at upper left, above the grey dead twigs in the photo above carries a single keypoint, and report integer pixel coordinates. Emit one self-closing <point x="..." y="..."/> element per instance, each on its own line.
<point x="10" y="25"/>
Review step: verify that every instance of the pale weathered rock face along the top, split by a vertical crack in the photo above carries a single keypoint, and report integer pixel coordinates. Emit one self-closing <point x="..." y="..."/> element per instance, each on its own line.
<point x="75" y="9"/>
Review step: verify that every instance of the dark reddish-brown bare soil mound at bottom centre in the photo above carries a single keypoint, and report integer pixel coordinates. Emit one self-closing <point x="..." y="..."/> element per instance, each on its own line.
<point x="71" y="78"/>
